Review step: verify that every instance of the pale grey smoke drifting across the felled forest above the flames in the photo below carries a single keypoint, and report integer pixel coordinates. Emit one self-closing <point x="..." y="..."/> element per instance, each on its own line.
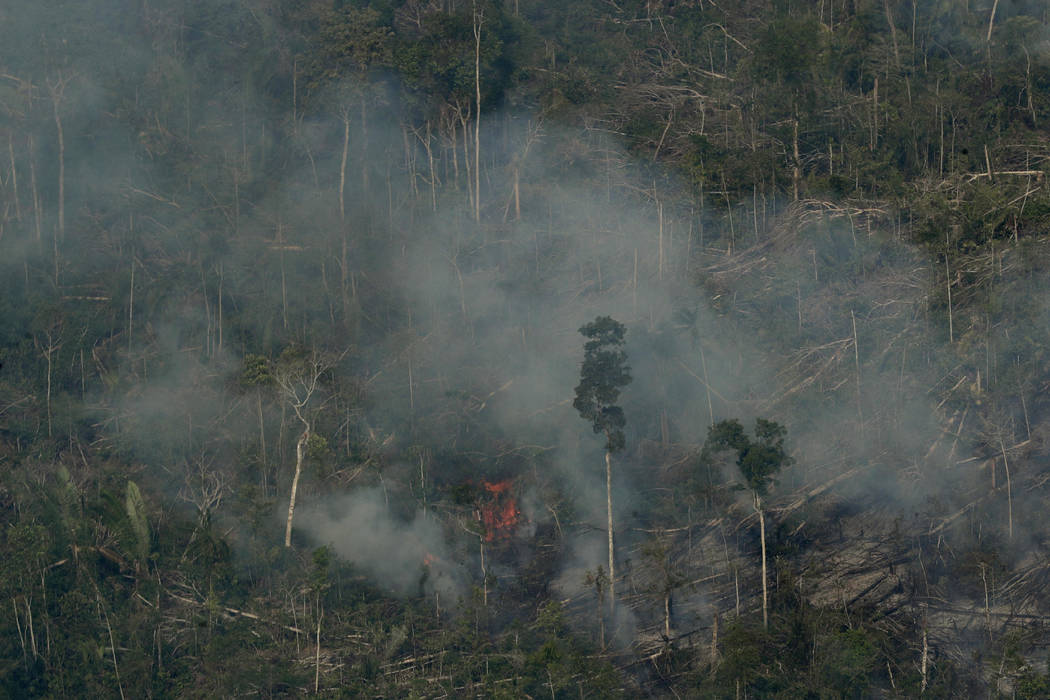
<point x="464" y="337"/>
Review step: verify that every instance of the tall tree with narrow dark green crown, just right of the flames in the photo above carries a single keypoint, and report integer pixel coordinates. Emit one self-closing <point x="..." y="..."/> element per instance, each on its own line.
<point x="604" y="373"/>
